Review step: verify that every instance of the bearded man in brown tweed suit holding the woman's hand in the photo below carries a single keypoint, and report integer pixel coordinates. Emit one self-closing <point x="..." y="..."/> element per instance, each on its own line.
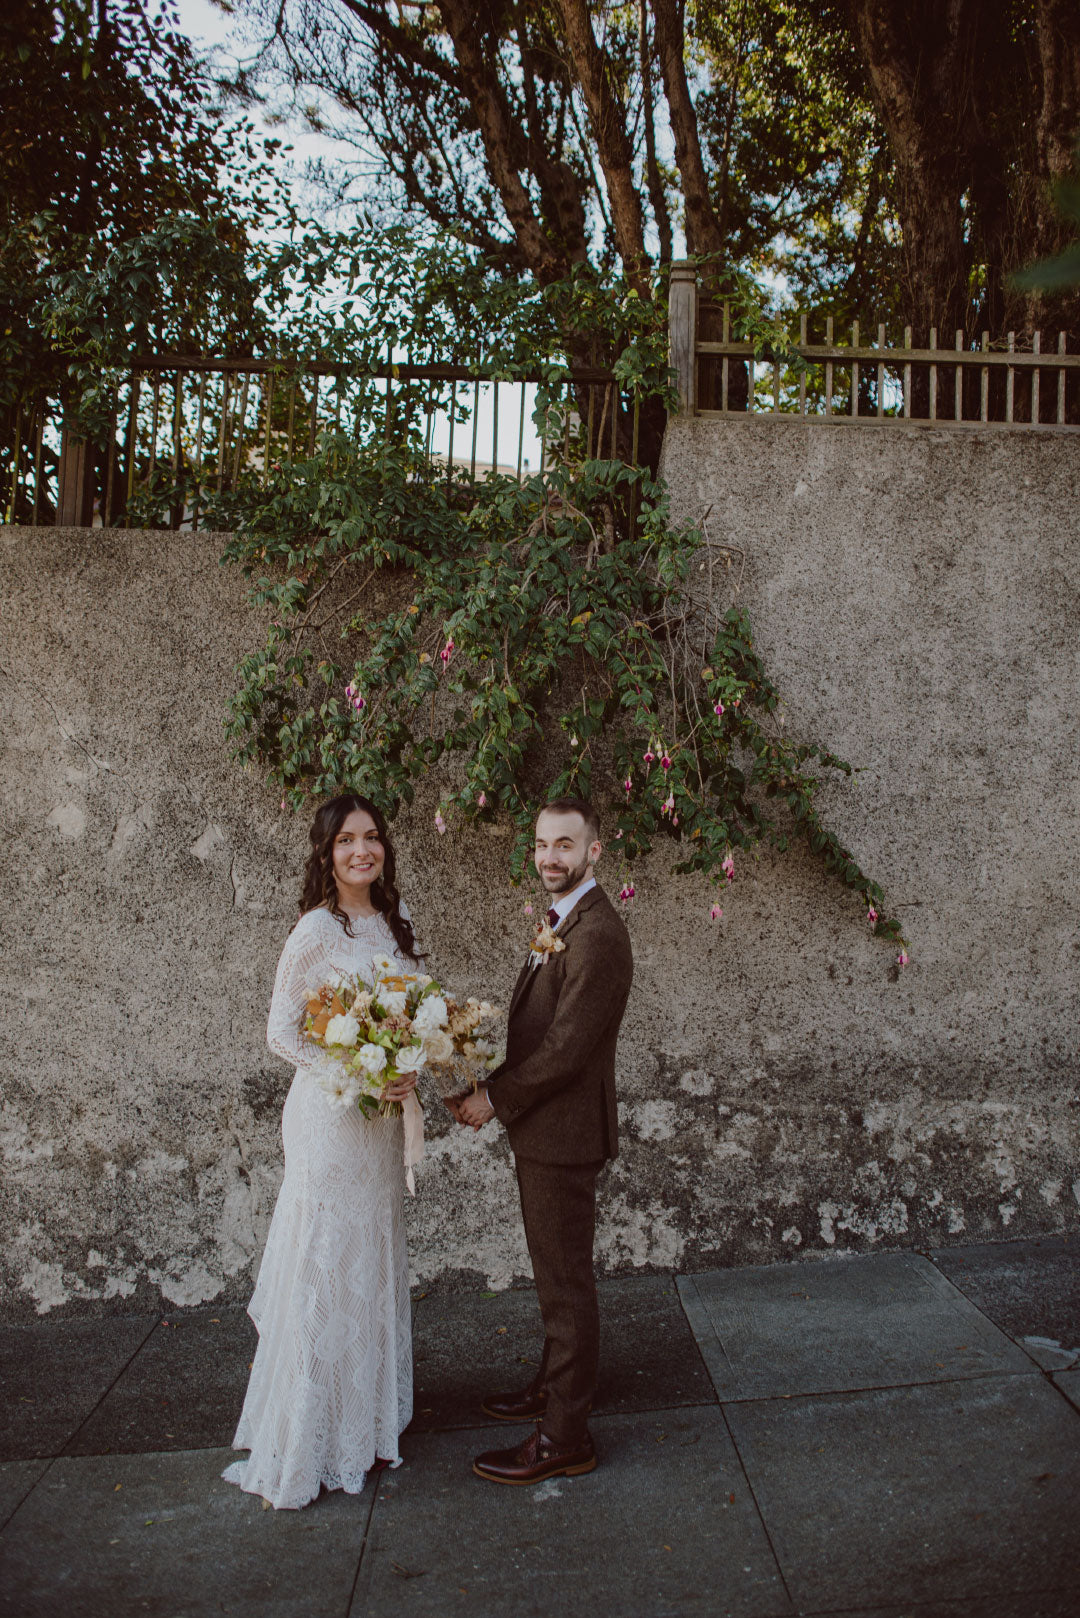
<point x="556" y="1096"/>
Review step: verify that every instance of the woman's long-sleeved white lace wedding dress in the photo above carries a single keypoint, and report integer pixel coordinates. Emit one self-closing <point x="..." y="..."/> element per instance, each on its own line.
<point x="333" y="1379"/>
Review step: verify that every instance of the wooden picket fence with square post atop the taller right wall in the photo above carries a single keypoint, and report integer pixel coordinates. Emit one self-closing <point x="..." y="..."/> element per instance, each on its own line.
<point x="987" y="384"/>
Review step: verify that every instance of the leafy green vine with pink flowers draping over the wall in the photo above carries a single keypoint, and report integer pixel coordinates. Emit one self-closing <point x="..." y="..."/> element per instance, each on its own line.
<point x="519" y="642"/>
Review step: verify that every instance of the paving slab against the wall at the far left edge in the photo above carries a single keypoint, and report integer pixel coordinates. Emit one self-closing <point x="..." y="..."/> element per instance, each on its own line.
<point x="56" y="1373"/>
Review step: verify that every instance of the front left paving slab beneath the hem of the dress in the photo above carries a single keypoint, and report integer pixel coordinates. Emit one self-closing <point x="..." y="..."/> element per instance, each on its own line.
<point x="174" y="1541"/>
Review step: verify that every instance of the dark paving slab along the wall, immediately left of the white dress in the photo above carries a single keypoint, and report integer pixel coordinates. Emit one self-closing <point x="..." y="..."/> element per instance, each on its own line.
<point x="184" y="1391"/>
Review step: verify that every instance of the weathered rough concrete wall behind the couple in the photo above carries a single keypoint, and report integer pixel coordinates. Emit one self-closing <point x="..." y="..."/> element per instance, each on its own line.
<point x="784" y="1090"/>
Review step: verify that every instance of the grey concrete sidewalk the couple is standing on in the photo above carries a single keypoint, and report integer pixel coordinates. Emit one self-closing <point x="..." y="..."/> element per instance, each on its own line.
<point x="890" y="1434"/>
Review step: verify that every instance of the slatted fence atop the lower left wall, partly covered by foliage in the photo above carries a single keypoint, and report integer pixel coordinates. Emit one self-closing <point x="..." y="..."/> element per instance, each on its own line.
<point x="185" y="431"/>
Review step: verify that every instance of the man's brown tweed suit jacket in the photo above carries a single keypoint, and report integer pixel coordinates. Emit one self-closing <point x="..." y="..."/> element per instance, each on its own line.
<point x="556" y="1091"/>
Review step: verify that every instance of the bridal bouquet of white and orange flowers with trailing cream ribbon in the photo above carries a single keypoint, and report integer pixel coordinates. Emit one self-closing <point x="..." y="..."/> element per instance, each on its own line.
<point x="370" y="1035"/>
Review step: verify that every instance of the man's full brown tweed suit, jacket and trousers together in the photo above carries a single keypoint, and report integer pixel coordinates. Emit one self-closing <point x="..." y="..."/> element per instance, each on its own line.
<point x="556" y="1096"/>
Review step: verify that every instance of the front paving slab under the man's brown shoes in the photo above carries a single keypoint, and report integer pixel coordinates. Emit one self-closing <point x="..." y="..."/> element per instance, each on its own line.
<point x="653" y="1531"/>
